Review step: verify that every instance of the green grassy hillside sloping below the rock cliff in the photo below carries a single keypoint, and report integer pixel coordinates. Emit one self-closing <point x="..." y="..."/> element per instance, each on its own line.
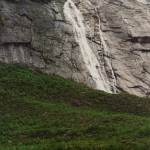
<point x="39" y="112"/>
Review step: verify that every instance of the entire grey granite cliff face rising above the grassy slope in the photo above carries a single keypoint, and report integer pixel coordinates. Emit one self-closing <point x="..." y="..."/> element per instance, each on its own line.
<point x="39" y="33"/>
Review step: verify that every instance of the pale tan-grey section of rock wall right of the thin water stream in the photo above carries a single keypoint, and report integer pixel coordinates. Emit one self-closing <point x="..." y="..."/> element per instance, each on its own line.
<point x="127" y="29"/>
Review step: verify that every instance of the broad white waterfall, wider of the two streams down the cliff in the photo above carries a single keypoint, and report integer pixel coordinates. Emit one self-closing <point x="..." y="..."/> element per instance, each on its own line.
<point x="74" y="16"/>
